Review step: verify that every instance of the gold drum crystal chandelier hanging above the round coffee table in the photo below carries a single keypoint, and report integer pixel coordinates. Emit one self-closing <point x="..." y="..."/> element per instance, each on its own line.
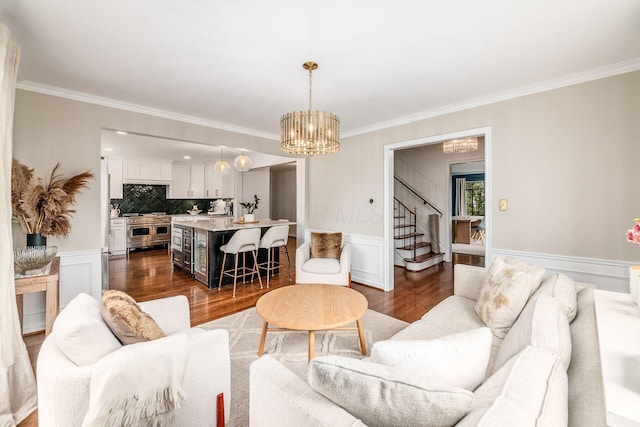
<point x="310" y="132"/>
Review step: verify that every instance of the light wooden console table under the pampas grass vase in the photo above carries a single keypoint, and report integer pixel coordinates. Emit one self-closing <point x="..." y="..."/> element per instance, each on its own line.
<point x="47" y="283"/>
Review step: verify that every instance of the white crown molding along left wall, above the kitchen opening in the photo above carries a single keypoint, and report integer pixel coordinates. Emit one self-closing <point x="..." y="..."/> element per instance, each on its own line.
<point x="136" y="108"/>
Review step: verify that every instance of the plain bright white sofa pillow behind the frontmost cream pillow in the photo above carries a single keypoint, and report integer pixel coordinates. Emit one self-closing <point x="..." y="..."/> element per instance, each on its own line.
<point x="459" y="359"/>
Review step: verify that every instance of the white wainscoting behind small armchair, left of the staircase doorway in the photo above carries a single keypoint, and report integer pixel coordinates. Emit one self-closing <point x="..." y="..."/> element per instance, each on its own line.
<point x="366" y="257"/>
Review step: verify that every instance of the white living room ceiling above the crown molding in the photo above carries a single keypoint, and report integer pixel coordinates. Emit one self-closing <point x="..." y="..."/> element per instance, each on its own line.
<point x="237" y="64"/>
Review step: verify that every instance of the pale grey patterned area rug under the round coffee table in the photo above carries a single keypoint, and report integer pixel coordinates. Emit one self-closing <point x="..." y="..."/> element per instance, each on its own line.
<point x="290" y="348"/>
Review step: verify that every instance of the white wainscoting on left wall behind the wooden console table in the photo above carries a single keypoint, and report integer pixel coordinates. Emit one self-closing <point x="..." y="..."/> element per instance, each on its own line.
<point x="79" y="272"/>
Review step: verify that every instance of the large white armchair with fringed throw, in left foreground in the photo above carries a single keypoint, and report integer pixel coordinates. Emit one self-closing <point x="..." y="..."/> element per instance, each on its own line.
<point x="81" y="343"/>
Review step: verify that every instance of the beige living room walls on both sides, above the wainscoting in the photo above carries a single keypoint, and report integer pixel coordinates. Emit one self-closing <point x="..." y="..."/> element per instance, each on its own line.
<point x="566" y="159"/>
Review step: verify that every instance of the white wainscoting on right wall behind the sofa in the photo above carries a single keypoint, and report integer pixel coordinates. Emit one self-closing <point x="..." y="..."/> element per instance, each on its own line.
<point x="606" y="274"/>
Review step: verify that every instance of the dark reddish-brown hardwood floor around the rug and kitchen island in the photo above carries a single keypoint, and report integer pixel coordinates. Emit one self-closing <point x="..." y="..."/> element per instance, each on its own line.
<point x="149" y="274"/>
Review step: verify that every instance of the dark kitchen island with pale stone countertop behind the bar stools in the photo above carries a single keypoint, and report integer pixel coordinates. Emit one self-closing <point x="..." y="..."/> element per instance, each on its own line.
<point x="196" y="245"/>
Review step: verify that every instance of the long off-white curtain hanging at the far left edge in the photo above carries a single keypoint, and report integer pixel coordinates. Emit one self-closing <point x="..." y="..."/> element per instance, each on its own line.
<point x="17" y="382"/>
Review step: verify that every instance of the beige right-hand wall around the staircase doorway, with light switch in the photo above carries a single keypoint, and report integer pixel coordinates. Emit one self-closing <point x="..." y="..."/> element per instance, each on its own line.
<point x="567" y="161"/>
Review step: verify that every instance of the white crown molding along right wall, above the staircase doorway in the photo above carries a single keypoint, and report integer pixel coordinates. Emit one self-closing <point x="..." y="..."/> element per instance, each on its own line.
<point x="544" y="86"/>
